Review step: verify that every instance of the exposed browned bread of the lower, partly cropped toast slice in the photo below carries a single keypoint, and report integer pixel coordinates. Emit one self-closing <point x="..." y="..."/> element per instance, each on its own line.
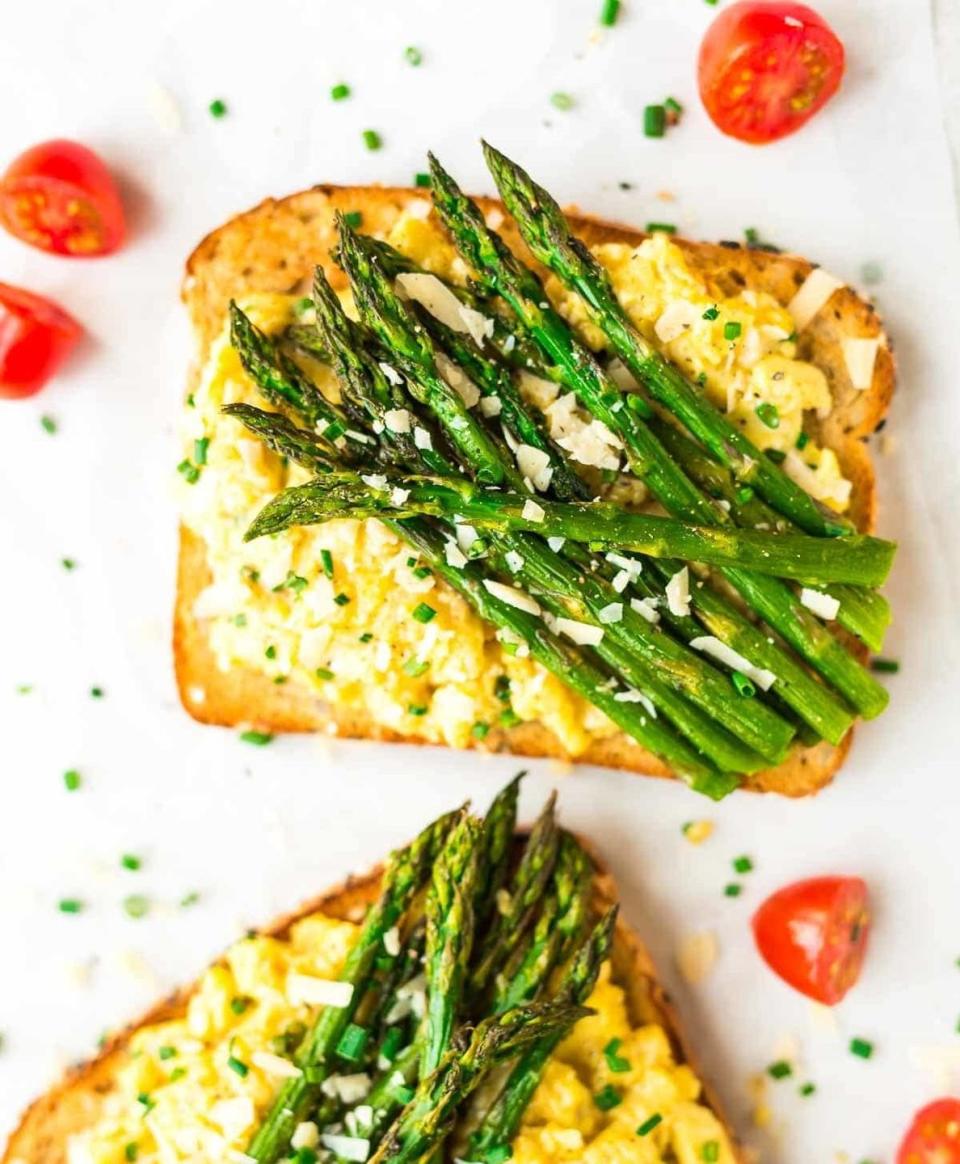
<point x="76" y="1103"/>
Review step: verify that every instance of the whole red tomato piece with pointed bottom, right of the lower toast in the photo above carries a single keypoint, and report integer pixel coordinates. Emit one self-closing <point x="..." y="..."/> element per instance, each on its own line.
<point x="814" y="935"/>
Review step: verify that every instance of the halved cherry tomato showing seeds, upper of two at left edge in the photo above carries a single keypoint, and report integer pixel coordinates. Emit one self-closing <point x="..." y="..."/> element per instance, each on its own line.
<point x="61" y="197"/>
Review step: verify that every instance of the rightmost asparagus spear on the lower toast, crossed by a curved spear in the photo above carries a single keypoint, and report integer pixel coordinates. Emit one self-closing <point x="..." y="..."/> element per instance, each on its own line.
<point x="502" y="1120"/>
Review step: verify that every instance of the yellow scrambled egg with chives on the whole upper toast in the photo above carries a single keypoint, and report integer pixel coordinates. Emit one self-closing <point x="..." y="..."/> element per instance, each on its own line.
<point x="333" y="607"/>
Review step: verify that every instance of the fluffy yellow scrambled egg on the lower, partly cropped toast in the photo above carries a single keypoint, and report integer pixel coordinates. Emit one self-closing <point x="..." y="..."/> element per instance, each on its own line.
<point x="195" y="1089"/>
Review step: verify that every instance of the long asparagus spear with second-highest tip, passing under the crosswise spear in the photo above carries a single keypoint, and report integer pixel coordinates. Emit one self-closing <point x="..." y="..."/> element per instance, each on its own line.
<point x="581" y="373"/>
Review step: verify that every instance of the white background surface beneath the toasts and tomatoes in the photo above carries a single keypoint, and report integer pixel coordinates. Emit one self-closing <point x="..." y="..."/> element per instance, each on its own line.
<point x="255" y="832"/>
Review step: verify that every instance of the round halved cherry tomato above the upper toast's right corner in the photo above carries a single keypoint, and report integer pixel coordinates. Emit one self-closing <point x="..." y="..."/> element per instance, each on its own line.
<point x="766" y="67"/>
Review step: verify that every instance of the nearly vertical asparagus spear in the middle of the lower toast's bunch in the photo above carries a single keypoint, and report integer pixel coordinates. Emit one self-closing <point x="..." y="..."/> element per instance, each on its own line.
<point x="450" y="938"/>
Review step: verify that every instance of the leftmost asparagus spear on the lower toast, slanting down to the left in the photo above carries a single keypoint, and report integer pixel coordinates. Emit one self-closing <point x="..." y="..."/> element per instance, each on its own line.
<point x="407" y="872"/>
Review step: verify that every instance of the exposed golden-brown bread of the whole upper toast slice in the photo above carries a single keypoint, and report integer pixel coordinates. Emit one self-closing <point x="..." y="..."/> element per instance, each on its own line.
<point x="276" y="246"/>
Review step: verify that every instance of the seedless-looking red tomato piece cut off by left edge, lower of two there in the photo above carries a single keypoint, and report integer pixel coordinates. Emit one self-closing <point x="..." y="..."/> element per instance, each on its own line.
<point x="35" y="338"/>
